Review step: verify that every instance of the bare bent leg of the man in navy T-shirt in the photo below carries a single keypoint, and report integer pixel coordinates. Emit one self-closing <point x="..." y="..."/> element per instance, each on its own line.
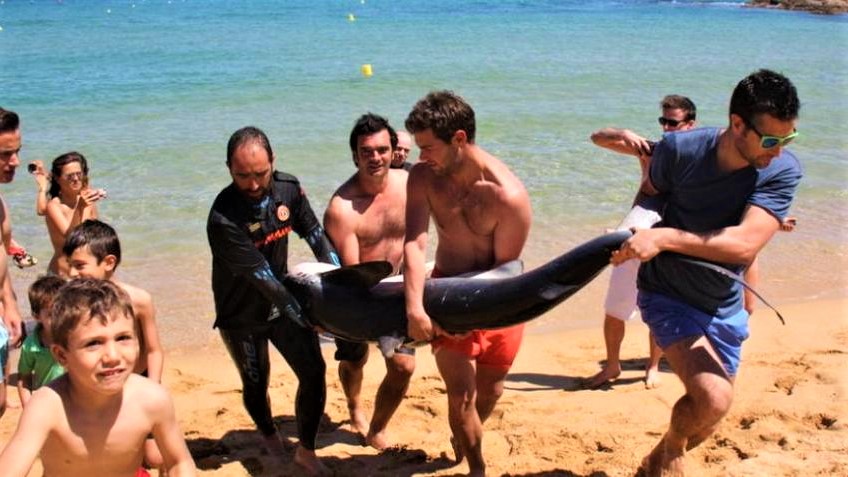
<point x="709" y="393"/>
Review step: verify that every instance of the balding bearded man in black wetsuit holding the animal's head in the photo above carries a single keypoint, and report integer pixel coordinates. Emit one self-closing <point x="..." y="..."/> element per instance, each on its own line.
<point x="248" y="232"/>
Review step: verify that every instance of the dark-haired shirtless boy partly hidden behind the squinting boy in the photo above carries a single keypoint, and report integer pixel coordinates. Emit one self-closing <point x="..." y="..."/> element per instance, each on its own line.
<point x="94" y="251"/>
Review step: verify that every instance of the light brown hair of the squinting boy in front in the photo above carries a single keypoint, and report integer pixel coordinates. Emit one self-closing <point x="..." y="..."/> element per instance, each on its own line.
<point x="85" y="299"/>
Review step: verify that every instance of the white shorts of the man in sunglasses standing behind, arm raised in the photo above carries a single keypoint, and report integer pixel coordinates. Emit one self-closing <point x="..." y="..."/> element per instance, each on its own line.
<point x="621" y="294"/>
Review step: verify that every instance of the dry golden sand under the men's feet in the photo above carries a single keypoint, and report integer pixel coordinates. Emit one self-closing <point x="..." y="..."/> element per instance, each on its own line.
<point x="788" y="419"/>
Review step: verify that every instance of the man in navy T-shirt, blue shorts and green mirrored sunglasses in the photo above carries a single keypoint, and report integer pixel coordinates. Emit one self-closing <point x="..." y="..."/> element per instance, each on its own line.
<point x="725" y="193"/>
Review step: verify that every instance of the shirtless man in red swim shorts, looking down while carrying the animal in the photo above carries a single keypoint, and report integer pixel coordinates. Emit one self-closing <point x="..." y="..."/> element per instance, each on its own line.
<point x="482" y="213"/>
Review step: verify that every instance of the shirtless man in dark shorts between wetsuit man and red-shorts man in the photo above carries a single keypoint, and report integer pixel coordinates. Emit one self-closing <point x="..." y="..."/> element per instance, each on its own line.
<point x="365" y="221"/>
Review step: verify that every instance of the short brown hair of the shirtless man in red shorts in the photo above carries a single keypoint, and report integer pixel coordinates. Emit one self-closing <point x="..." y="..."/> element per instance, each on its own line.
<point x="444" y="112"/>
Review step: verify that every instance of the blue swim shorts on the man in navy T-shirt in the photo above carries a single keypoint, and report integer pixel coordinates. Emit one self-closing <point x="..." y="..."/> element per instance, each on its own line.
<point x="671" y="320"/>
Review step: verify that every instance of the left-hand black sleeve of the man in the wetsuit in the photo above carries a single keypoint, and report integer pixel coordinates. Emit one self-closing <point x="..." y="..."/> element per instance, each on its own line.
<point x="235" y="250"/>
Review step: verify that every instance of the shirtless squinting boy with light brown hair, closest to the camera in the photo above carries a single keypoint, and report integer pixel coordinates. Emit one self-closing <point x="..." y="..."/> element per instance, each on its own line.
<point x="94" y="419"/>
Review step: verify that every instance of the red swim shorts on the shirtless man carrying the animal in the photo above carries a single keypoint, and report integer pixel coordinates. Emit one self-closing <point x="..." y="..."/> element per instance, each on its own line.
<point x="493" y="348"/>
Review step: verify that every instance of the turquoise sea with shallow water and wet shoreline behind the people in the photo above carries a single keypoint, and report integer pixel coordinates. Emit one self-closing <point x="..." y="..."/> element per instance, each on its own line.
<point x="149" y="92"/>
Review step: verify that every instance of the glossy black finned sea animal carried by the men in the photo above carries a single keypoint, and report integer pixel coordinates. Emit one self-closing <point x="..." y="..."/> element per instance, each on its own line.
<point x="356" y="304"/>
